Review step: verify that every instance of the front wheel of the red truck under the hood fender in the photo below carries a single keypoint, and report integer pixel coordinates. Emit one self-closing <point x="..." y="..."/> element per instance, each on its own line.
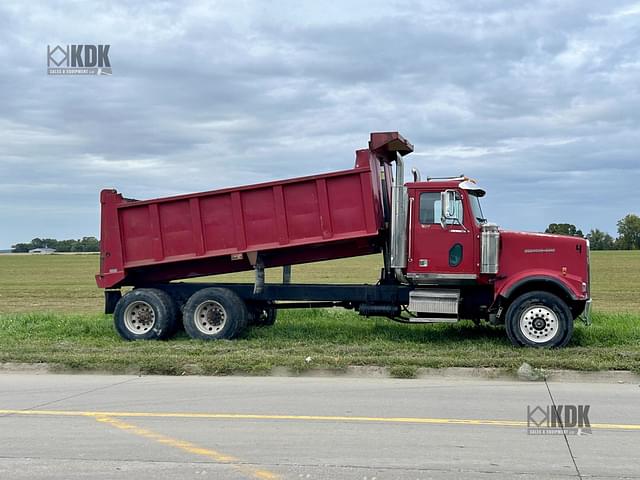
<point x="539" y="319"/>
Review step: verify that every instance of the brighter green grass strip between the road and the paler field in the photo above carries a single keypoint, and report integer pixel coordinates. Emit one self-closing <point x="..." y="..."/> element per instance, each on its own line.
<point x="333" y="341"/>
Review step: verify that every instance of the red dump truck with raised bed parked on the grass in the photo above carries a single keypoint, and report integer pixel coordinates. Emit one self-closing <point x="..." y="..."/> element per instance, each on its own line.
<point x="441" y="260"/>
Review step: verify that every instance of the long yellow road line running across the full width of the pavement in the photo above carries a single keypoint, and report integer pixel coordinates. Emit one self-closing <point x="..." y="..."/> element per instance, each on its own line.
<point x="331" y="418"/>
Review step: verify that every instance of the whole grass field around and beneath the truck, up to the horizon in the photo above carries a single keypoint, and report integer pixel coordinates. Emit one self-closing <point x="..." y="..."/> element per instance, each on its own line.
<point x="50" y="311"/>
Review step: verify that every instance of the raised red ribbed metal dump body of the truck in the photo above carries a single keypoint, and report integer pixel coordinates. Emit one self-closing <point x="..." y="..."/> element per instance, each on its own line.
<point x="333" y="215"/>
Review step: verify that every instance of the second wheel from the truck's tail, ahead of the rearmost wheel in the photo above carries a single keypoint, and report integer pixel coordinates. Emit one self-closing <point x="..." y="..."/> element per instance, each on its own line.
<point x="214" y="314"/>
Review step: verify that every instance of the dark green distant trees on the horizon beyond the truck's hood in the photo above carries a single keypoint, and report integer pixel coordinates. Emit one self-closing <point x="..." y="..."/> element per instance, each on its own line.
<point x="628" y="234"/>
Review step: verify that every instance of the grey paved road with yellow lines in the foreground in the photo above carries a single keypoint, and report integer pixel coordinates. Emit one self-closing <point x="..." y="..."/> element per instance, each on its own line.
<point x="94" y="426"/>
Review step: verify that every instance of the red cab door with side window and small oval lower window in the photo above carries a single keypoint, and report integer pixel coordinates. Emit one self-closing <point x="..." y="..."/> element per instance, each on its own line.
<point x="440" y="253"/>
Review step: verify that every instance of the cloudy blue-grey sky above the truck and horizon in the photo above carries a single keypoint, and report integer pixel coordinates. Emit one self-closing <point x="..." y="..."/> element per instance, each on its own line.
<point x="538" y="100"/>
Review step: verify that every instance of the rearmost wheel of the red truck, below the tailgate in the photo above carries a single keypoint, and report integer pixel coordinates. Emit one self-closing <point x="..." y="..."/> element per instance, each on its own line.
<point x="145" y="314"/>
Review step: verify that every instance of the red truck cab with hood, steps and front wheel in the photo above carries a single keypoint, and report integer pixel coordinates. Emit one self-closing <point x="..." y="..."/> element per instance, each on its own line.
<point x="536" y="284"/>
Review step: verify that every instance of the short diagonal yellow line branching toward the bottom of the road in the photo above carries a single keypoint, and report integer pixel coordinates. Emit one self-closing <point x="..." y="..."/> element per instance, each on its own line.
<point x="187" y="447"/>
